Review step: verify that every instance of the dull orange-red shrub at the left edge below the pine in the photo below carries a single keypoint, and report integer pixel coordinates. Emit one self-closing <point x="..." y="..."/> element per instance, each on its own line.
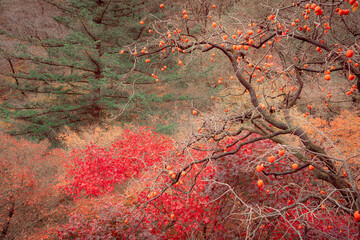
<point x="27" y="189"/>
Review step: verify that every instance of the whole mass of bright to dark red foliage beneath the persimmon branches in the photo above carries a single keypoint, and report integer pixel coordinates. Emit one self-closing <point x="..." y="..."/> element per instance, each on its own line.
<point x="174" y="205"/>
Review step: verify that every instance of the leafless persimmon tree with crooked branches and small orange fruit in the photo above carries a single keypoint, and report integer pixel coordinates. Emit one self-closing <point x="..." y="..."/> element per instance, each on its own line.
<point x="279" y="55"/>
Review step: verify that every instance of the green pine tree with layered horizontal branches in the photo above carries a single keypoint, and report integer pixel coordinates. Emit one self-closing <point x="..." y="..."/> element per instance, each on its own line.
<point x="83" y="77"/>
